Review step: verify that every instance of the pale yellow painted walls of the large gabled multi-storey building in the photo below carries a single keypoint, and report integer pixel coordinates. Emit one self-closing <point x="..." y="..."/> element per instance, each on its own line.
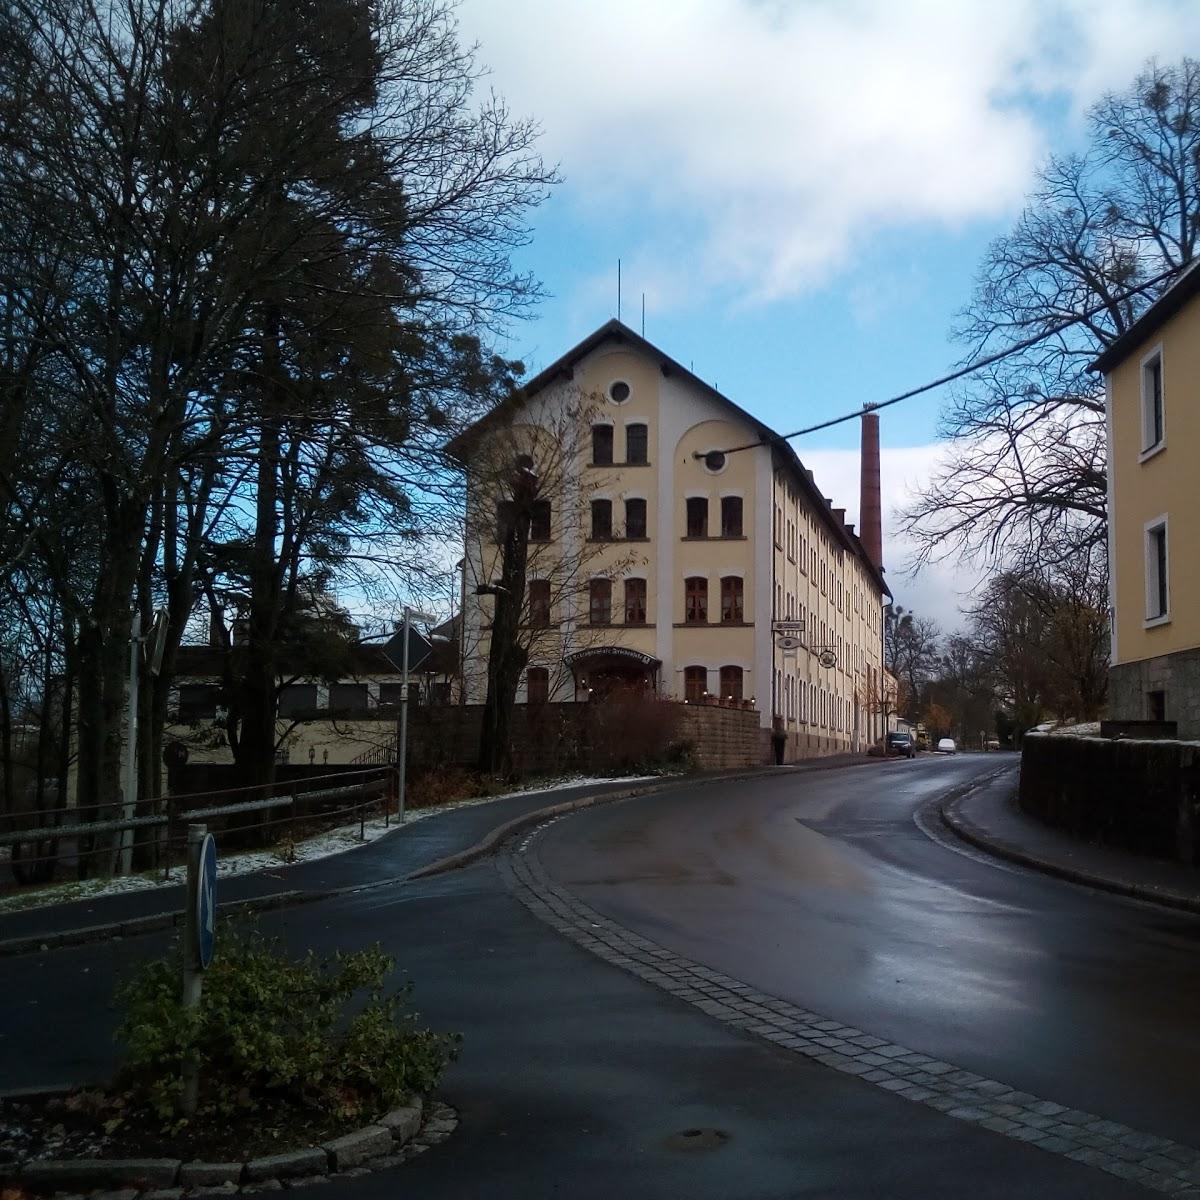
<point x="853" y="628"/>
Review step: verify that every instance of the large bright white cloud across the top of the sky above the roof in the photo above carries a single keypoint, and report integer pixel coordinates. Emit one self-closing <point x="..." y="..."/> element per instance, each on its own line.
<point x="753" y="147"/>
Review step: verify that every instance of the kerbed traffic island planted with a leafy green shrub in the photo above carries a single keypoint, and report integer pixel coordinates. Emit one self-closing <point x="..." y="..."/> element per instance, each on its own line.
<point x="278" y="1071"/>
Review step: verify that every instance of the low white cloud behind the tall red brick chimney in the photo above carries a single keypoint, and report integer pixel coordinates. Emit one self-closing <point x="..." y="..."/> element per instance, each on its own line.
<point x="939" y="591"/>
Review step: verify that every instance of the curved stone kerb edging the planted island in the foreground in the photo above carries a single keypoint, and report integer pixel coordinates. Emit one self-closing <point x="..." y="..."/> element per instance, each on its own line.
<point x="394" y="1139"/>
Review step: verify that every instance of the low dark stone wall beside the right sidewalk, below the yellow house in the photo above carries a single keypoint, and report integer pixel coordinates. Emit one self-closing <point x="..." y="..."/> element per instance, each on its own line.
<point x="1137" y="796"/>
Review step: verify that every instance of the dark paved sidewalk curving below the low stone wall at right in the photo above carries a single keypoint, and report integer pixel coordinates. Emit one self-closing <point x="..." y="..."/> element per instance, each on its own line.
<point x="991" y="820"/>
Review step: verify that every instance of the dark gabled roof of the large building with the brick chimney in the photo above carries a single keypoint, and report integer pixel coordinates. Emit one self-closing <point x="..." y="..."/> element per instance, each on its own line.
<point x="620" y="333"/>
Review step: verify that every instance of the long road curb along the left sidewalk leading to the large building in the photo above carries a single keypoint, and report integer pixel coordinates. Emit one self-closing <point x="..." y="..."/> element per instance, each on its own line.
<point x="152" y="923"/>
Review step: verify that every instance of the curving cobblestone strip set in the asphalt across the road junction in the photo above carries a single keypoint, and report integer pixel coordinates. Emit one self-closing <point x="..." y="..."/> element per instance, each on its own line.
<point x="1154" y="1162"/>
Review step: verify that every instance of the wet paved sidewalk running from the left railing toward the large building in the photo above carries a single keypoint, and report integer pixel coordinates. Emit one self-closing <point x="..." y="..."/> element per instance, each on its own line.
<point x="392" y="859"/>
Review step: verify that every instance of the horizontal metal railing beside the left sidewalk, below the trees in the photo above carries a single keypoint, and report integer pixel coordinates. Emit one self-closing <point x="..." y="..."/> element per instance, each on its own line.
<point x="256" y="818"/>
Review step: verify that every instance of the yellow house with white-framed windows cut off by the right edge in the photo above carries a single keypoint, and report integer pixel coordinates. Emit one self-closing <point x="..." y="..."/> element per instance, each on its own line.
<point x="1153" y="399"/>
